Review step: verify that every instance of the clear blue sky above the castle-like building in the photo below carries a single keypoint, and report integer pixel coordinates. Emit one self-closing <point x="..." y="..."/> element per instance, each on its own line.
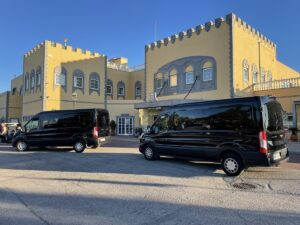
<point x="122" y="28"/>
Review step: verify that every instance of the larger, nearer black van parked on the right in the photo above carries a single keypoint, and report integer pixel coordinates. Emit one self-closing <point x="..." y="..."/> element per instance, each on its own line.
<point x="237" y="132"/>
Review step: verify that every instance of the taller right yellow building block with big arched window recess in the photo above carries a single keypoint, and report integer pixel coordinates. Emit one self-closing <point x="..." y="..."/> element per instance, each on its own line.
<point x="224" y="58"/>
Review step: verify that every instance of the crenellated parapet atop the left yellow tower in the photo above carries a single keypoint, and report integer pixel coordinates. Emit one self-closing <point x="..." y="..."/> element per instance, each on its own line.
<point x="60" y="46"/>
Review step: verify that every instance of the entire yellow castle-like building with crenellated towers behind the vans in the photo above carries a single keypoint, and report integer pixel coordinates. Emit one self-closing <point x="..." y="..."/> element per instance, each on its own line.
<point x="223" y="58"/>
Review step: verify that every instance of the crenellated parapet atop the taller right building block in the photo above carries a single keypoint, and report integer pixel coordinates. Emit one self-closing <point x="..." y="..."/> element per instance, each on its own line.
<point x="208" y="27"/>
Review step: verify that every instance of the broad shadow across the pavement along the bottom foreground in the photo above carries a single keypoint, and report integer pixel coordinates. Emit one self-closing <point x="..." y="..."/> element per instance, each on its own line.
<point x="42" y="208"/>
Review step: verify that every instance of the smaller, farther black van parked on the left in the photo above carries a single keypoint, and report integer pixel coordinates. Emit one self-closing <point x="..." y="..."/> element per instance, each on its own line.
<point x="78" y="128"/>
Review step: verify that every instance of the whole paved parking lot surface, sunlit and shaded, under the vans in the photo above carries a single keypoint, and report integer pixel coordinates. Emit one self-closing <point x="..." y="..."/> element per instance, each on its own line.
<point x="115" y="185"/>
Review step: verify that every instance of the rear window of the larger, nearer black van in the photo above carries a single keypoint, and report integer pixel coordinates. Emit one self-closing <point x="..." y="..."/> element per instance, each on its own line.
<point x="274" y="121"/>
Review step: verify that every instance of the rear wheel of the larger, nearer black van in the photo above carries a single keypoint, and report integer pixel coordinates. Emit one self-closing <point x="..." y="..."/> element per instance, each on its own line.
<point x="232" y="164"/>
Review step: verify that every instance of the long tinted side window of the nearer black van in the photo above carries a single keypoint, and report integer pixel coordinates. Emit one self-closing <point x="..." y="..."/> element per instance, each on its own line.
<point x="232" y="117"/>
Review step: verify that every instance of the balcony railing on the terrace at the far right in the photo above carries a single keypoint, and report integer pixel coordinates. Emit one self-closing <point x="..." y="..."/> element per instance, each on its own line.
<point x="277" y="84"/>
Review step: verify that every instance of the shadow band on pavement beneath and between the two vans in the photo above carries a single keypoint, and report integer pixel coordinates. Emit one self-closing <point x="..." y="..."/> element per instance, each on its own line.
<point x="103" y="162"/>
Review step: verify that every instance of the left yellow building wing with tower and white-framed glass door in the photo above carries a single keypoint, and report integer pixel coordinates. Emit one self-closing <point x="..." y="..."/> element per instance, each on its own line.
<point x="60" y="77"/>
